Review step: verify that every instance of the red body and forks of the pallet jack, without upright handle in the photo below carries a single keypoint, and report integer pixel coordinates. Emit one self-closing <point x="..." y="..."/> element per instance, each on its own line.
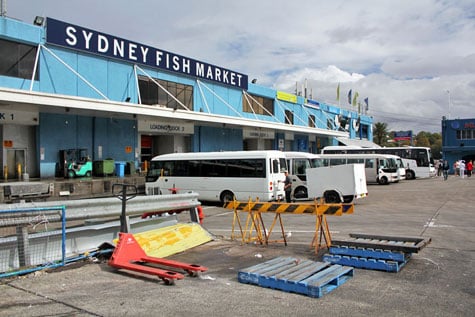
<point x="128" y="255"/>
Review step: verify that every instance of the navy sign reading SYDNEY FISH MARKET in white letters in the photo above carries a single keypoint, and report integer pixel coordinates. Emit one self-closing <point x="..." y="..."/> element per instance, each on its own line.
<point x="87" y="40"/>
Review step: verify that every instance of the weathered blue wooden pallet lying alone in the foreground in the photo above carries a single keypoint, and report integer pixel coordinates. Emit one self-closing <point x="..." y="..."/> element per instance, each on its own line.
<point x="288" y="274"/>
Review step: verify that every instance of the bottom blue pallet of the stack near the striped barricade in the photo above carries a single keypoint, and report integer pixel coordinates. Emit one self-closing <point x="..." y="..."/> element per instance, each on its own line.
<point x="365" y="263"/>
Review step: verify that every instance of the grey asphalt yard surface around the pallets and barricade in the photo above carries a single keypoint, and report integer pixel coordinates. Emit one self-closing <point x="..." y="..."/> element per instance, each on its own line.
<point x="437" y="281"/>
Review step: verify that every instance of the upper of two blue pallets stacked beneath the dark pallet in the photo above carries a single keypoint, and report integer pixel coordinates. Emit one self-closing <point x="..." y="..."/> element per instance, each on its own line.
<point x="370" y="253"/>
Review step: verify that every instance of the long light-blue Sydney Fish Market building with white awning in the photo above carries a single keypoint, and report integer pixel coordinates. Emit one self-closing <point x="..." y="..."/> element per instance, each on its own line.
<point x="64" y="86"/>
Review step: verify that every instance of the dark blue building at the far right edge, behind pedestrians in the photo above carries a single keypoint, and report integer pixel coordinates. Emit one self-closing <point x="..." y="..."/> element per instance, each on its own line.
<point x="458" y="140"/>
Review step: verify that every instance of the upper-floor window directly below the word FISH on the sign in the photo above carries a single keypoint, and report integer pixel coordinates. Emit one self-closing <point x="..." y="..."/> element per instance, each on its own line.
<point x="152" y="94"/>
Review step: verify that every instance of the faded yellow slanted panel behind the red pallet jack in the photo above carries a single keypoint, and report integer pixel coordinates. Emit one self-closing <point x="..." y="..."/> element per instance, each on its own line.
<point x="170" y="240"/>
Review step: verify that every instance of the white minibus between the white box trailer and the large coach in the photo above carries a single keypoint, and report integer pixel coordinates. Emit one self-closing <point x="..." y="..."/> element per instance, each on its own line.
<point x="379" y="168"/>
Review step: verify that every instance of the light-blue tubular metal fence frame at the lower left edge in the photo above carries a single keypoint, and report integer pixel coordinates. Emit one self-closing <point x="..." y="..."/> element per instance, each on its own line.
<point x="22" y="235"/>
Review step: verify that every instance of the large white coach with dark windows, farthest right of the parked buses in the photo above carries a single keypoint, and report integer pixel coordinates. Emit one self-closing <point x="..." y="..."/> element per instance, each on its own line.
<point x="421" y="155"/>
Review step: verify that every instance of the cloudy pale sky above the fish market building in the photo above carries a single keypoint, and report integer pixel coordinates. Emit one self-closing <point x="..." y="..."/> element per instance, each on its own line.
<point x="413" y="59"/>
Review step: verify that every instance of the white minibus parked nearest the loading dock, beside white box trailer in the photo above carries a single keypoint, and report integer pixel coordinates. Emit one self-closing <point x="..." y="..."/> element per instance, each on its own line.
<point x="219" y="176"/>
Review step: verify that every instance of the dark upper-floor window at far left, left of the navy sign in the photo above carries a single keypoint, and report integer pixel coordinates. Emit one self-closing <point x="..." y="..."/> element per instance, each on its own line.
<point x="17" y="60"/>
